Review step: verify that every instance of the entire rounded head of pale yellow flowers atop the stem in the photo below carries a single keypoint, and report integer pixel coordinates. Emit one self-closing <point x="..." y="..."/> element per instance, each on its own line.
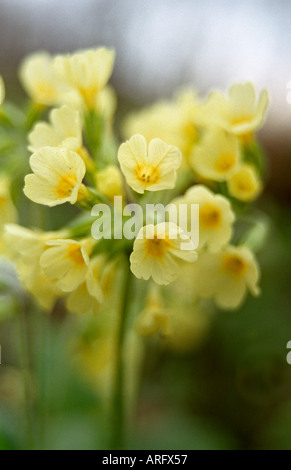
<point x="182" y="152"/>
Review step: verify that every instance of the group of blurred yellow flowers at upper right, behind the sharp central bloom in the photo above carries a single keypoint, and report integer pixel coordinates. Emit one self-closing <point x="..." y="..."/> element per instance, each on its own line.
<point x="216" y="136"/>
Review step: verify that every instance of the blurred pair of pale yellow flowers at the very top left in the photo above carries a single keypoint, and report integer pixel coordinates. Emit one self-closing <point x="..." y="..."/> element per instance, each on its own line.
<point x="76" y="79"/>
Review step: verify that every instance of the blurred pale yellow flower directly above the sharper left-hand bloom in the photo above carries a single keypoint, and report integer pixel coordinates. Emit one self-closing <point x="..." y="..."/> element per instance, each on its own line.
<point x="64" y="130"/>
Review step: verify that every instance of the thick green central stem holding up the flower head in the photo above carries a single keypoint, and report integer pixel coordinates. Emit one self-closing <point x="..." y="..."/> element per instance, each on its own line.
<point x="118" y="400"/>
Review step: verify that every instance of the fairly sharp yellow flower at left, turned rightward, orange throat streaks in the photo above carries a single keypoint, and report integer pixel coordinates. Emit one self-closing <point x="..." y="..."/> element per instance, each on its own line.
<point x="57" y="177"/>
